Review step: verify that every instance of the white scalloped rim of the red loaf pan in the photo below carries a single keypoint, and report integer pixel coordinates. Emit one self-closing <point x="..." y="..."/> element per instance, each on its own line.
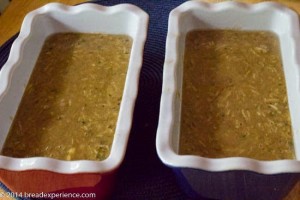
<point x="129" y="96"/>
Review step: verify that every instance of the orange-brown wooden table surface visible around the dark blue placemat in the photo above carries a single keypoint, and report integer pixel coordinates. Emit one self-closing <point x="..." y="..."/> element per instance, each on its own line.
<point x="12" y="17"/>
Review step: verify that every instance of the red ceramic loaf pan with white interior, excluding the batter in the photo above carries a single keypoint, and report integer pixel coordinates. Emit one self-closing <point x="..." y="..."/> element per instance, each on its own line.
<point x="37" y="26"/>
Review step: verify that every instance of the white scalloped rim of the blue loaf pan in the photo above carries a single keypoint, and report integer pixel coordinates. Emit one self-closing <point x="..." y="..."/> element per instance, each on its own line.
<point x="166" y="123"/>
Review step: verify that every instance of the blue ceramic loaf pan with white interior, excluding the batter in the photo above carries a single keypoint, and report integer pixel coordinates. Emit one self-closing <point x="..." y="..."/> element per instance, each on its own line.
<point x="231" y="177"/>
